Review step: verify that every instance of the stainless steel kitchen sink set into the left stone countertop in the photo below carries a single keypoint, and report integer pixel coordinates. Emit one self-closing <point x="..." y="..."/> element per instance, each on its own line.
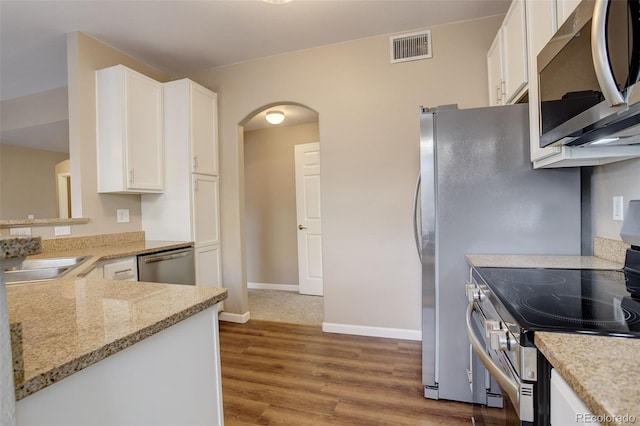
<point x="45" y="269"/>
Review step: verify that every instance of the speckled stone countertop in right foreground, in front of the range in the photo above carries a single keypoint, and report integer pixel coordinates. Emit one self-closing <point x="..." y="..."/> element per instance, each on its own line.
<point x="604" y="372"/>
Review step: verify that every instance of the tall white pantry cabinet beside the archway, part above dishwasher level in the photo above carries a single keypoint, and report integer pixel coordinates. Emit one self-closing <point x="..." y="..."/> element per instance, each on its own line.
<point x="189" y="209"/>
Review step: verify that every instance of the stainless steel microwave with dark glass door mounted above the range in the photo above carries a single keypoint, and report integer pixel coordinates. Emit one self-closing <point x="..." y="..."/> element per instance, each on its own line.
<point x="588" y="77"/>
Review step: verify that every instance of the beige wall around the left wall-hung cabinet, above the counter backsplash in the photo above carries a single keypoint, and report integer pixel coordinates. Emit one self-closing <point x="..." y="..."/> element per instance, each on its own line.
<point x="85" y="55"/>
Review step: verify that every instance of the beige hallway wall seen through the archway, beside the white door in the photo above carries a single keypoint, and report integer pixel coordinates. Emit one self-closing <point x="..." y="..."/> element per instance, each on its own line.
<point x="270" y="202"/>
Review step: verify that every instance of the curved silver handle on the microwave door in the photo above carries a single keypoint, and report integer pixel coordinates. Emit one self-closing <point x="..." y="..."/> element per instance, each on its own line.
<point x="600" y="55"/>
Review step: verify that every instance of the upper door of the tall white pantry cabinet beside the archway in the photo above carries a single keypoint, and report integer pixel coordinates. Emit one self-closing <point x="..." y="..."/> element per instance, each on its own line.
<point x="204" y="130"/>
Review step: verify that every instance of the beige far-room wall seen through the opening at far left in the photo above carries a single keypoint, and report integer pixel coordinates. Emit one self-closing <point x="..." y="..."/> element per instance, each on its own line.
<point x="28" y="182"/>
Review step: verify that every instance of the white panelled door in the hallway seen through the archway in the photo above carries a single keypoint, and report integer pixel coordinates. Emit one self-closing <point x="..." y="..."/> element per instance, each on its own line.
<point x="307" y="158"/>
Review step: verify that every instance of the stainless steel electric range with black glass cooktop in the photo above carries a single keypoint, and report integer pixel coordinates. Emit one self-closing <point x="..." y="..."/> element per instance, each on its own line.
<point x="507" y="306"/>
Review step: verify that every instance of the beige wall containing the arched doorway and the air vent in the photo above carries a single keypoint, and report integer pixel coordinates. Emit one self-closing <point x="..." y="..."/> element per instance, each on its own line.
<point x="369" y="129"/>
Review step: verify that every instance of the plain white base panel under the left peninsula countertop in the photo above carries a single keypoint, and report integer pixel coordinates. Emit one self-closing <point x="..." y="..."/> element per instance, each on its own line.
<point x="170" y="378"/>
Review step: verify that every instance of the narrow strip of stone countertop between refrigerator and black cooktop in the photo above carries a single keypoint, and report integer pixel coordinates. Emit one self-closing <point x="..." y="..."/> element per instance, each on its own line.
<point x="540" y="261"/>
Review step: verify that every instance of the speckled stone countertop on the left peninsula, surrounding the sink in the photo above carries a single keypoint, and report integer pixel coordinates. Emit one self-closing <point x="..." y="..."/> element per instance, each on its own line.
<point x="62" y="326"/>
